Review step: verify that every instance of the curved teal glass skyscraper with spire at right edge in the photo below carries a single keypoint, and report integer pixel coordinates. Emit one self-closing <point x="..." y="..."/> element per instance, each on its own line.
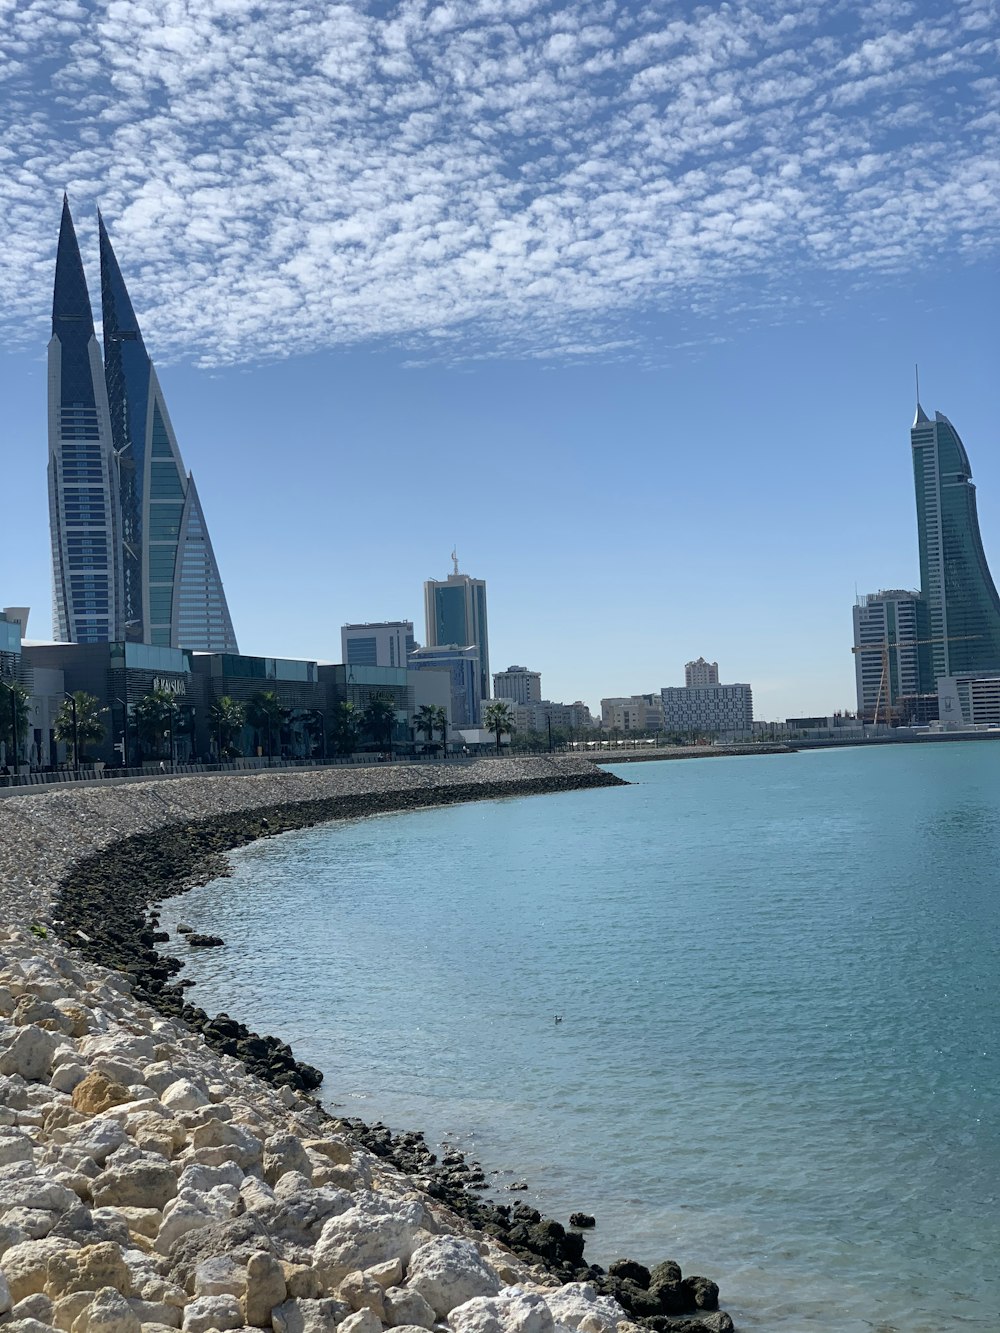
<point x="963" y="607"/>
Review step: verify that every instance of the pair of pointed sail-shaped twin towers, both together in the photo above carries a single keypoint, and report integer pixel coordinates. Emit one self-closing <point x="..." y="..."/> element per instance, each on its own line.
<point x="131" y="554"/>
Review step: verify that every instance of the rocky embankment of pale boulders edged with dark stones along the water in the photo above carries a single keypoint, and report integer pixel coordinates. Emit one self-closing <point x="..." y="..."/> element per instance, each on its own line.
<point x="150" y="1180"/>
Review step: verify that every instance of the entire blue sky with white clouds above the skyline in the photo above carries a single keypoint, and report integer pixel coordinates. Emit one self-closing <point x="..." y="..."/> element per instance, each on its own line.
<point x="621" y="301"/>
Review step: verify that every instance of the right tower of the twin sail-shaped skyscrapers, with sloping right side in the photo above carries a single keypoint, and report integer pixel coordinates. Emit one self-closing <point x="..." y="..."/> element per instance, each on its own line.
<point x="173" y="591"/>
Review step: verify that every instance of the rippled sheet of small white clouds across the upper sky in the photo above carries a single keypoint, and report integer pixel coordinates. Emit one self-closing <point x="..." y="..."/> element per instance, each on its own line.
<point x="481" y="177"/>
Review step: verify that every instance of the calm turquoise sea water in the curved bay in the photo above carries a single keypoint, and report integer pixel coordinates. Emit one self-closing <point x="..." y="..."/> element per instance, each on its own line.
<point x="779" y="984"/>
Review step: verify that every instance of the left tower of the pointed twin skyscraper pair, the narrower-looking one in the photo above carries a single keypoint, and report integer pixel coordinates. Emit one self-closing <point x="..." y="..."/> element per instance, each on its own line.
<point x="83" y="481"/>
